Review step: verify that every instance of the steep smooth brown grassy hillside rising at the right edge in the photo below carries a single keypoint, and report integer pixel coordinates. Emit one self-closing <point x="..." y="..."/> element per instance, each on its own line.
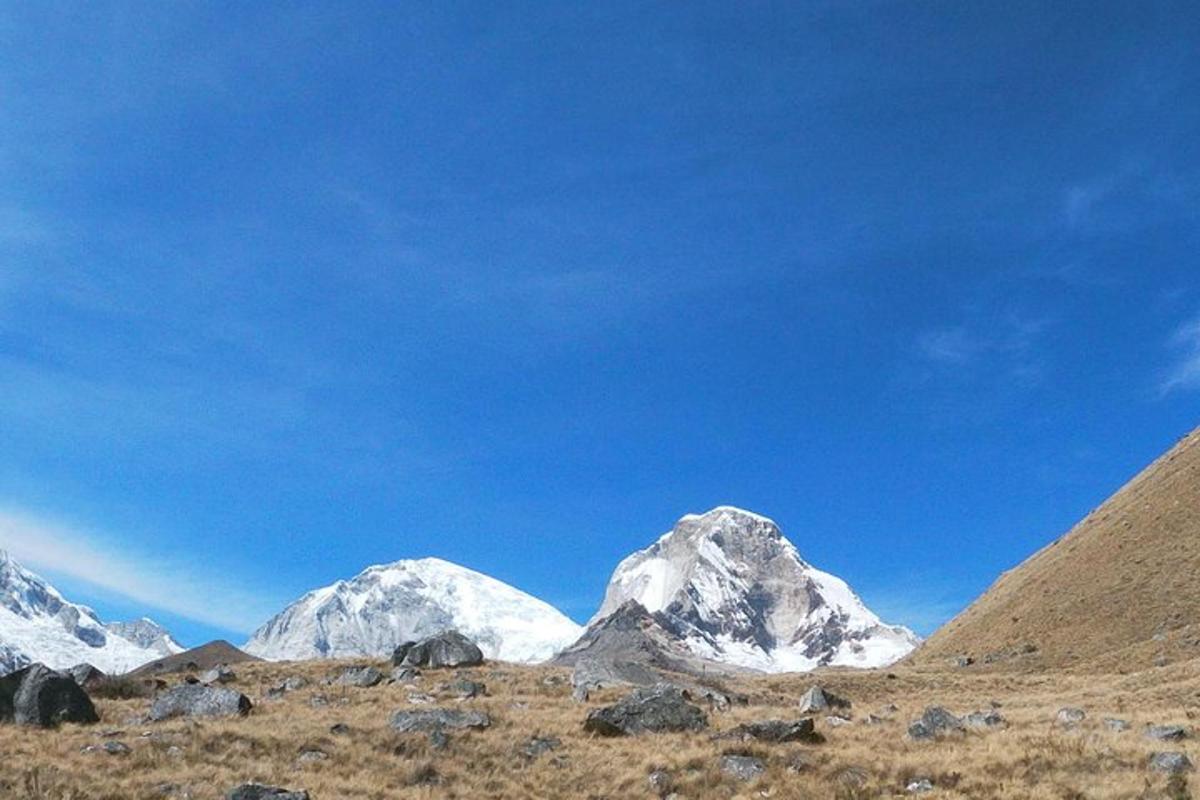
<point x="1120" y="592"/>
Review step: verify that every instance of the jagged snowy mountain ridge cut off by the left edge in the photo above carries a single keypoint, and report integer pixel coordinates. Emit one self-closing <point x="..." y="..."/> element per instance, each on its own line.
<point x="38" y="624"/>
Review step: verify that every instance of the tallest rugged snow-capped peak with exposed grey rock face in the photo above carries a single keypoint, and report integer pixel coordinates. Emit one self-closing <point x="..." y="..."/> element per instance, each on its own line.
<point x="735" y="591"/>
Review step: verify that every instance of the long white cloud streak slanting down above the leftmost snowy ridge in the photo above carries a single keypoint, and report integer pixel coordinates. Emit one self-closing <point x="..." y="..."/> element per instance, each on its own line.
<point x="163" y="584"/>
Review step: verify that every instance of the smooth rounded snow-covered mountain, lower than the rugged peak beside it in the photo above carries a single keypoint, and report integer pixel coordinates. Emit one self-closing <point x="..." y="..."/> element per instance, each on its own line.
<point x="388" y="605"/>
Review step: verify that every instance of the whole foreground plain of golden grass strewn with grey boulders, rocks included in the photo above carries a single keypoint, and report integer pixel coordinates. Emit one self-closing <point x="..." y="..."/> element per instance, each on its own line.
<point x="346" y="731"/>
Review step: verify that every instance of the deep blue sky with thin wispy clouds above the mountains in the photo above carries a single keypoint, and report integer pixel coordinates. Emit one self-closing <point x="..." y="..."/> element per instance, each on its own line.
<point x="290" y="290"/>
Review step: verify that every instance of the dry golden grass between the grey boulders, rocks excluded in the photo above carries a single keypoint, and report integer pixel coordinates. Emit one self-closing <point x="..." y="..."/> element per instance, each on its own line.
<point x="1030" y="760"/>
